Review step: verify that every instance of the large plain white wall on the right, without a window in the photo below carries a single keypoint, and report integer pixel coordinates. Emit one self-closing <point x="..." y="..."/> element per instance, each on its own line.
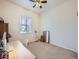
<point x="62" y="24"/>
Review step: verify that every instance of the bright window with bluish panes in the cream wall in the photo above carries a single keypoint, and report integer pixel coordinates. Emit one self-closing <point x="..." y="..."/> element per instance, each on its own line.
<point x="25" y="24"/>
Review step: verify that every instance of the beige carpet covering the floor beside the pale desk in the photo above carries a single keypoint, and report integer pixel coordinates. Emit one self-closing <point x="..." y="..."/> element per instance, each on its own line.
<point x="47" y="51"/>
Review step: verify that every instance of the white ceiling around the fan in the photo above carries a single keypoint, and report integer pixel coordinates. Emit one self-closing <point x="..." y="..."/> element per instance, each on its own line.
<point x="28" y="5"/>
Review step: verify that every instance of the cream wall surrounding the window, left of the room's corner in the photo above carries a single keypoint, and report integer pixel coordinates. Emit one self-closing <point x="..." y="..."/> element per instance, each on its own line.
<point x="11" y="14"/>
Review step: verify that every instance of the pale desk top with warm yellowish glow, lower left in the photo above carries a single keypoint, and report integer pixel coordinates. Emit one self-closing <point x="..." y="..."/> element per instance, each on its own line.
<point x="20" y="52"/>
